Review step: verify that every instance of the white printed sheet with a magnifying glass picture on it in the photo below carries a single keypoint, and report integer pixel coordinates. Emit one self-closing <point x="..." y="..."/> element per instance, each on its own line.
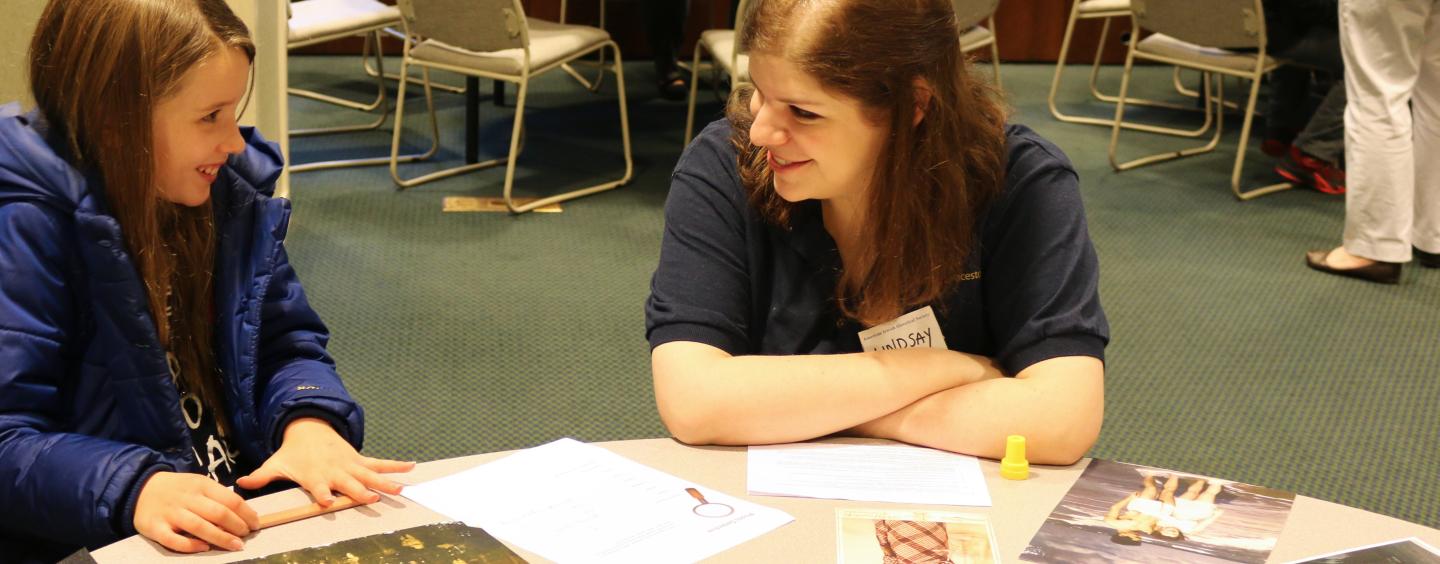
<point x="575" y="503"/>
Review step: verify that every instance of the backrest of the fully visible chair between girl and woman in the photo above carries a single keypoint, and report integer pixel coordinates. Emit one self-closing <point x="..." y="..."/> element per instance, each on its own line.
<point x="476" y="25"/>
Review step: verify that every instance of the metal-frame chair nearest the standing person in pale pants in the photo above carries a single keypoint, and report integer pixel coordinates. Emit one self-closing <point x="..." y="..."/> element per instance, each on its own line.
<point x="1197" y="37"/>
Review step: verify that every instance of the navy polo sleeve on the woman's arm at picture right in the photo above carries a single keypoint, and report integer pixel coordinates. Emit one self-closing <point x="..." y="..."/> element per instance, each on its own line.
<point x="1040" y="270"/>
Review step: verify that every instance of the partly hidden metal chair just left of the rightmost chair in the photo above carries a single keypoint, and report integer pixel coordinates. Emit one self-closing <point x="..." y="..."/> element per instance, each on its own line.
<point x="1107" y="11"/>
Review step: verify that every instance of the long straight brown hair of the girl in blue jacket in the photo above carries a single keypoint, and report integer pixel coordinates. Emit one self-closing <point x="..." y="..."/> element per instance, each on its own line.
<point x="99" y="68"/>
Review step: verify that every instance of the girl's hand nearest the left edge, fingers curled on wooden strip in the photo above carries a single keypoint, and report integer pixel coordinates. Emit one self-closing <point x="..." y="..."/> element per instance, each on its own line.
<point x="175" y="504"/>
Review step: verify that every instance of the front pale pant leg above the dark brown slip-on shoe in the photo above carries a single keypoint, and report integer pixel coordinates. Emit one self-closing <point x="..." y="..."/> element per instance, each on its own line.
<point x="1382" y="42"/>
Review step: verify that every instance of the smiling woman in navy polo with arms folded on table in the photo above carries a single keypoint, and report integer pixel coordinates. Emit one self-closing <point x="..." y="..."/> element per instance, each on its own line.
<point x="865" y="247"/>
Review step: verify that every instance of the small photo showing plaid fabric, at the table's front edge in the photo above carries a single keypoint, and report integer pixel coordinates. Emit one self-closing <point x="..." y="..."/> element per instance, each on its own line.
<point x="914" y="537"/>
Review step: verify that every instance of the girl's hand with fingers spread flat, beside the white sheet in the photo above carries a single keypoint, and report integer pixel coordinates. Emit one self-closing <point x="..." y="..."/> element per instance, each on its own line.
<point x="320" y="461"/>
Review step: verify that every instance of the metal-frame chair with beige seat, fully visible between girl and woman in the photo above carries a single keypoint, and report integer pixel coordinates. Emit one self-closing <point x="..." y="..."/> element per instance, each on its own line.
<point x="495" y="40"/>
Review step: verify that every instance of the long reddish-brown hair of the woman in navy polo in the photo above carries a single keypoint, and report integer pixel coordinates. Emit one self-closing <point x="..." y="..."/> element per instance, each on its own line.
<point x="932" y="182"/>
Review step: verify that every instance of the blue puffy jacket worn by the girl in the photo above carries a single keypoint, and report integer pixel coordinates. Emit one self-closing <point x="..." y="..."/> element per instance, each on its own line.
<point x="87" y="405"/>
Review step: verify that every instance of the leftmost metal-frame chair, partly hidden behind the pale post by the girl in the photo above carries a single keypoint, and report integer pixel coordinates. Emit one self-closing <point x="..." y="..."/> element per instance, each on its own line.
<point x="316" y="22"/>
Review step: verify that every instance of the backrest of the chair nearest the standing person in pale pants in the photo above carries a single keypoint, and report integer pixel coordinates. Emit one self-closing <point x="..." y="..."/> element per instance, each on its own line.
<point x="1213" y="24"/>
